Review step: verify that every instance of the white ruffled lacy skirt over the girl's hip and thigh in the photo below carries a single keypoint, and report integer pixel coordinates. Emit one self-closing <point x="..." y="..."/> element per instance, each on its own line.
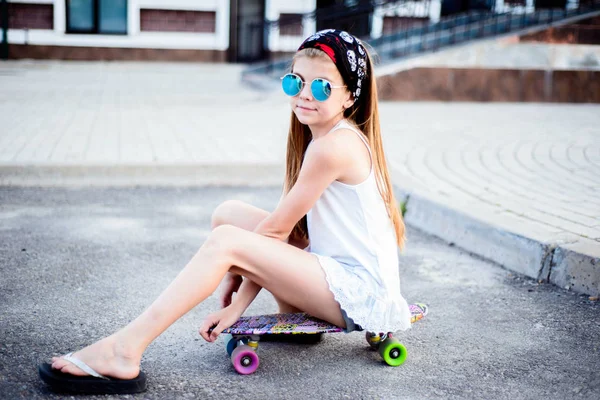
<point x="363" y="299"/>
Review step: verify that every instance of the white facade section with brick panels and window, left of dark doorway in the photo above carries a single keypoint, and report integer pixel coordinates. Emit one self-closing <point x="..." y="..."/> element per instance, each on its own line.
<point x="119" y="29"/>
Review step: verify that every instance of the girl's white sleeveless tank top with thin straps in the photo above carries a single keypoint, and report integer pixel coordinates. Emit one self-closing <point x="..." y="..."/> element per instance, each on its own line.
<point x="350" y="224"/>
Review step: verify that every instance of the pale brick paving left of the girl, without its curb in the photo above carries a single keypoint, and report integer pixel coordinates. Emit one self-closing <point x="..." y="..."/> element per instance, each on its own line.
<point x="127" y="113"/>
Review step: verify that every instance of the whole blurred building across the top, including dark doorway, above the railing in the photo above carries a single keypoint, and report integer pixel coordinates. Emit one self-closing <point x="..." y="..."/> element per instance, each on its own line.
<point x="206" y="30"/>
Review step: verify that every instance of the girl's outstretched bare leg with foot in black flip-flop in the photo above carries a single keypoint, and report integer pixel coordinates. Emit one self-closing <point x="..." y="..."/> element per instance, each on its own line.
<point x="299" y="281"/>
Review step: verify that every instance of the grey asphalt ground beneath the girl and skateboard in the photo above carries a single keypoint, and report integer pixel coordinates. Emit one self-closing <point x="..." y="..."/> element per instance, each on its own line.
<point x="77" y="264"/>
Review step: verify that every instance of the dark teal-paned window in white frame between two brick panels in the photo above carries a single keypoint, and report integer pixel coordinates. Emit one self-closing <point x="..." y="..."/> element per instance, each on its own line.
<point x="97" y="16"/>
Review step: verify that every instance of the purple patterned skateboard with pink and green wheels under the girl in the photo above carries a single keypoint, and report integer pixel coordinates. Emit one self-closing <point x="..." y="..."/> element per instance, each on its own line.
<point x="245" y="334"/>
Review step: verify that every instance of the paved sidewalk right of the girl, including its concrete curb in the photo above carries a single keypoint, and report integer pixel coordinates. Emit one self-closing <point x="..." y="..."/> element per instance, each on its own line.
<point x="518" y="184"/>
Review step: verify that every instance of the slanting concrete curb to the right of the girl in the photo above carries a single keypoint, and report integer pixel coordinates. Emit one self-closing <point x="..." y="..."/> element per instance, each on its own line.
<point x="573" y="266"/>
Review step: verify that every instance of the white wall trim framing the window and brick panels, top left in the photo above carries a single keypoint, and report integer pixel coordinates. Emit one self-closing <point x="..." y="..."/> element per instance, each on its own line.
<point x="134" y="38"/>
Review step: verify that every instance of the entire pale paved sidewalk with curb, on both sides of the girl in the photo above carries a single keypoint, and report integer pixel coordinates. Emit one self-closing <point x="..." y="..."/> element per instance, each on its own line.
<point x="516" y="183"/>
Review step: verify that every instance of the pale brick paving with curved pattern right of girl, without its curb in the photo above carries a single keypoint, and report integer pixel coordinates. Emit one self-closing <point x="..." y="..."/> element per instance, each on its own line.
<point x="536" y="164"/>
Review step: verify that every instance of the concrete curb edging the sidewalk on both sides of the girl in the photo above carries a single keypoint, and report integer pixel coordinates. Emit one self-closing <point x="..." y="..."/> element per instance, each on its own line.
<point x="571" y="265"/>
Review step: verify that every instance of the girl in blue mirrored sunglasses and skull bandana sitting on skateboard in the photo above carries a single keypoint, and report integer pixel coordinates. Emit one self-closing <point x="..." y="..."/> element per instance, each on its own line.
<point x="337" y="199"/>
